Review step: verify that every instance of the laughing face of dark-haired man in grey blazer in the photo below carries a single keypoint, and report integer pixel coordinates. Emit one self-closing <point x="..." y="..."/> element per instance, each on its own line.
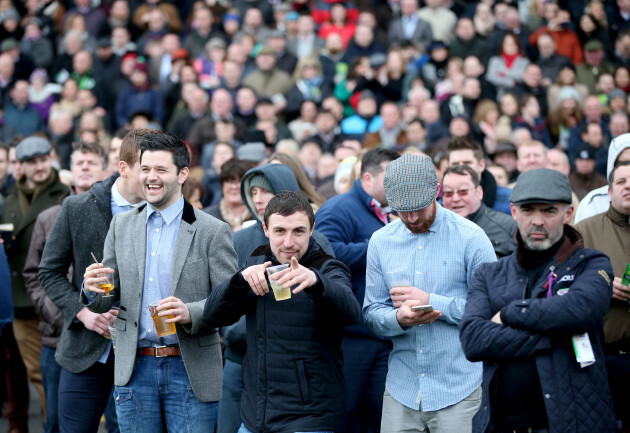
<point x="160" y="179"/>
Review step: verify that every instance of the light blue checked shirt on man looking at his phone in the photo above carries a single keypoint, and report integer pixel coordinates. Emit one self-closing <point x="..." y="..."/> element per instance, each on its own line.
<point x="427" y="365"/>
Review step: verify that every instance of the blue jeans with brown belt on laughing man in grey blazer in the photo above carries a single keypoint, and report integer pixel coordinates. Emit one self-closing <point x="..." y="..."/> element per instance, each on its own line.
<point x="161" y="384"/>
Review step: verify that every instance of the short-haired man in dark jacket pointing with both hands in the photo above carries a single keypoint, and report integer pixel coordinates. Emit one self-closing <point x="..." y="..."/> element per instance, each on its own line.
<point x="292" y="379"/>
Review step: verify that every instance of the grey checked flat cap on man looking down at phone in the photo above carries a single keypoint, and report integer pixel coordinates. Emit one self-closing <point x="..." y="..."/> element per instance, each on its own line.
<point x="410" y="183"/>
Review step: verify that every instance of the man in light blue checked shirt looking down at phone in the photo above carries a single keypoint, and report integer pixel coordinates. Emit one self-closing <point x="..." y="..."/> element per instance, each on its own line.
<point x="426" y="258"/>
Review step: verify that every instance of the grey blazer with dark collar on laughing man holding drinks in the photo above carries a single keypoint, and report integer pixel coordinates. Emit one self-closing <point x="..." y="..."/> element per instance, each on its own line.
<point x="204" y="257"/>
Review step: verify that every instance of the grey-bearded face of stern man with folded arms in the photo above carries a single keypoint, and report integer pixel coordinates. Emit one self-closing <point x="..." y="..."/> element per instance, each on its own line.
<point x="540" y="224"/>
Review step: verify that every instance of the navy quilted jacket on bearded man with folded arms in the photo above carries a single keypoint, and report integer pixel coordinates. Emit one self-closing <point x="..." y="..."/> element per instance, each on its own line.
<point x="576" y="399"/>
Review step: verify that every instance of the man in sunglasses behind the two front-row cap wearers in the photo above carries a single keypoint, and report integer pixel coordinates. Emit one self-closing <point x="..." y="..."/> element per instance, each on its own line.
<point x="462" y="194"/>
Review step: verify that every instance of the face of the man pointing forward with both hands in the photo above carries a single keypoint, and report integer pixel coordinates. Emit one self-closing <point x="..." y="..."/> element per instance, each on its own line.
<point x="288" y="235"/>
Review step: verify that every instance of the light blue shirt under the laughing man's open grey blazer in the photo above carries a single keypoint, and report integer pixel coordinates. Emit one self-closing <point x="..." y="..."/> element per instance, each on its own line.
<point x="162" y="229"/>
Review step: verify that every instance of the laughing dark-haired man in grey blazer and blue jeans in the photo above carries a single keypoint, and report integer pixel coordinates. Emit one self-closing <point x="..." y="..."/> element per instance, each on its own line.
<point x="171" y="253"/>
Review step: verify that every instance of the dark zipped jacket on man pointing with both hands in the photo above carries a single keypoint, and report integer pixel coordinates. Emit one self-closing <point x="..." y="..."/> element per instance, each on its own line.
<point x="292" y="377"/>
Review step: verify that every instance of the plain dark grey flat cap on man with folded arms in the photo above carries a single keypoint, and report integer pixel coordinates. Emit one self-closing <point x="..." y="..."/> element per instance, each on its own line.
<point x="542" y="185"/>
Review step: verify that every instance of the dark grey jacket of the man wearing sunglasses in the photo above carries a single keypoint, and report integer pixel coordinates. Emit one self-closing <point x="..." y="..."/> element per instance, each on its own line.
<point x="499" y="227"/>
